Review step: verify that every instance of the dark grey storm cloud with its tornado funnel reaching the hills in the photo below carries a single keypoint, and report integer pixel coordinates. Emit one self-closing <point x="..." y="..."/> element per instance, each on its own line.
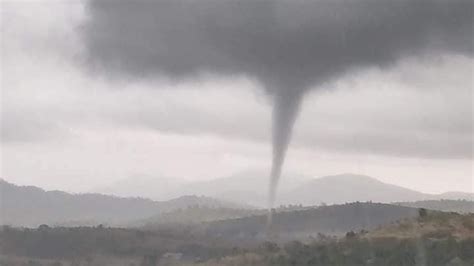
<point x="288" y="47"/>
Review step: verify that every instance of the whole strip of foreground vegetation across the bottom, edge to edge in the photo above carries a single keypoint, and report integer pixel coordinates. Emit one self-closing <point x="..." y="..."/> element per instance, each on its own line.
<point x="432" y="238"/>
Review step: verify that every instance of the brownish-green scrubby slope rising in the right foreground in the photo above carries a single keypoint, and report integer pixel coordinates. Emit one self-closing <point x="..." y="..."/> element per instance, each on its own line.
<point x="434" y="238"/>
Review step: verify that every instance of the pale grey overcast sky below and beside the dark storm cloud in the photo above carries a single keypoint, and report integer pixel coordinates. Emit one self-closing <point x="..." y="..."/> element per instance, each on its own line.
<point x="66" y="128"/>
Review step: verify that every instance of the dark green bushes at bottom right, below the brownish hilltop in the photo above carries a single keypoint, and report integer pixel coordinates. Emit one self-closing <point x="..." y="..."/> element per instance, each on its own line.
<point x="390" y="252"/>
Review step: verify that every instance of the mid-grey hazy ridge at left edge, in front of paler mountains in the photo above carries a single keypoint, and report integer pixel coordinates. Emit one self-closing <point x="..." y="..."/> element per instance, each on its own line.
<point x="31" y="206"/>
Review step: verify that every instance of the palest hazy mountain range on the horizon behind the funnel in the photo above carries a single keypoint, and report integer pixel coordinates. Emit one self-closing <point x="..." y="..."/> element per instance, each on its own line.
<point x="251" y="188"/>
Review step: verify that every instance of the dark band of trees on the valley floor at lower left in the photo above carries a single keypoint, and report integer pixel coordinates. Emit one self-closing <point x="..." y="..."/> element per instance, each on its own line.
<point x="81" y="242"/>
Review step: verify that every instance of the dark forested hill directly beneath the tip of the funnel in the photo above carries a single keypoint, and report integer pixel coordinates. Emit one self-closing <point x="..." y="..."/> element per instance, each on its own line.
<point x="333" y="220"/>
